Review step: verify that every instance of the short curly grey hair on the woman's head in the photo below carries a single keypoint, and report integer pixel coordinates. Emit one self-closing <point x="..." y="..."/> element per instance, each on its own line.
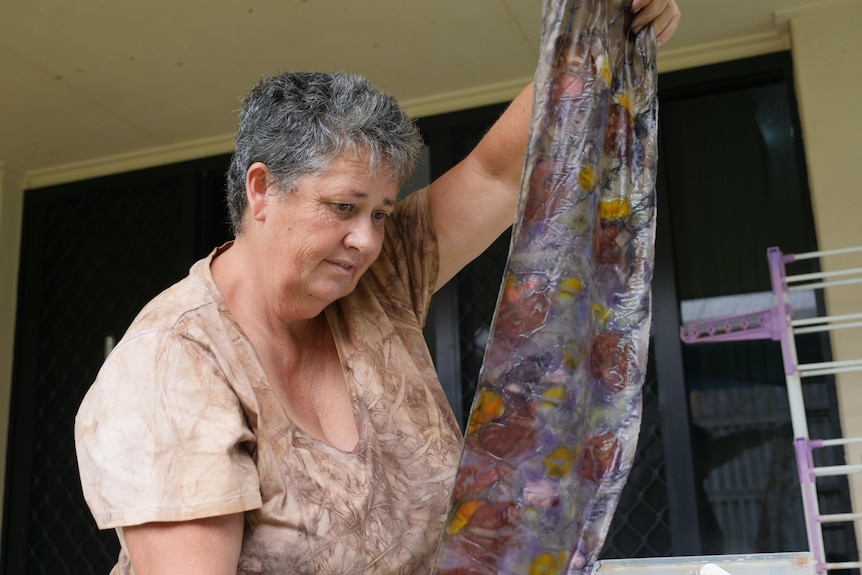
<point x="298" y="122"/>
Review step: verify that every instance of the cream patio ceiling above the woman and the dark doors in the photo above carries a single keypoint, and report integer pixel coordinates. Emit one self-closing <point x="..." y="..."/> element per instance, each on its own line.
<point x="86" y="80"/>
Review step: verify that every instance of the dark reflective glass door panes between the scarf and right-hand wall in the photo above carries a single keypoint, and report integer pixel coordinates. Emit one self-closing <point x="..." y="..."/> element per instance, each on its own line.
<point x="735" y="184"/>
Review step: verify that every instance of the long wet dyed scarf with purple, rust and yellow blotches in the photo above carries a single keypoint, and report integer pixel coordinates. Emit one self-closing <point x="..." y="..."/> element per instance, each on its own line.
<point x="553" y="427"/>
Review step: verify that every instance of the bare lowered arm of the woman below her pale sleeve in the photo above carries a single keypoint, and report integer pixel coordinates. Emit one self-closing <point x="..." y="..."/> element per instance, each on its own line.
<point x="208" y="546"/>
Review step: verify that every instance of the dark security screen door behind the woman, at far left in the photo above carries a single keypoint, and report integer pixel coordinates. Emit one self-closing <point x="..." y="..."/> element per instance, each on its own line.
<point x="93" y="253"/>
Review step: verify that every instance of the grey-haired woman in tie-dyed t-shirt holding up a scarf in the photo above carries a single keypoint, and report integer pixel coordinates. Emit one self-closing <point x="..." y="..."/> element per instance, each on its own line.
<point x="277" y="410"/>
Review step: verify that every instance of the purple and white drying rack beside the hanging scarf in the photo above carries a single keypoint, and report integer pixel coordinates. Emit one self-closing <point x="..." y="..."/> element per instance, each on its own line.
<point x="777" y="323"/>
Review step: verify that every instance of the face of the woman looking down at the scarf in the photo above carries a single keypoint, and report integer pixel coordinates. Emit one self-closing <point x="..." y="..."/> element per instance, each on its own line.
<point x="320" y="237"/>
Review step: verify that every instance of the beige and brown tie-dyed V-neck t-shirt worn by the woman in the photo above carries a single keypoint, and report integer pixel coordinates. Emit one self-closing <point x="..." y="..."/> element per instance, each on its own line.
<point x="181" y="424"/>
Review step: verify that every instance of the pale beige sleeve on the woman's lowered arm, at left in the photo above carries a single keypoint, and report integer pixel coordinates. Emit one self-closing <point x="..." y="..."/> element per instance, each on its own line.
<point x="161" y="436"/>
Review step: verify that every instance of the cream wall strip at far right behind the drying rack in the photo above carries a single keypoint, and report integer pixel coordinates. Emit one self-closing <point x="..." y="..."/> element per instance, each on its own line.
<point x="827" y="54"/>
